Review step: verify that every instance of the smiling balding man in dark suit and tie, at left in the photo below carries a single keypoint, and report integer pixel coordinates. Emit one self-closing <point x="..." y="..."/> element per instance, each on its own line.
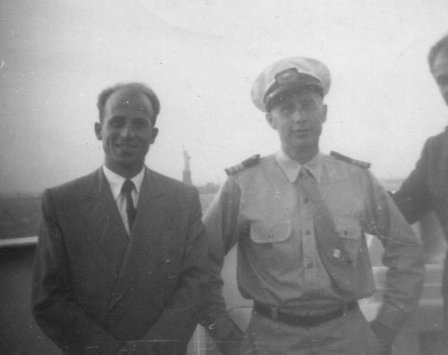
<point x="121" y="258"/>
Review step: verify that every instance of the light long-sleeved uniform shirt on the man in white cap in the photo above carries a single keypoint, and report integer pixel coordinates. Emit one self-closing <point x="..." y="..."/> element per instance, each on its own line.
<point x="263" y="209"/>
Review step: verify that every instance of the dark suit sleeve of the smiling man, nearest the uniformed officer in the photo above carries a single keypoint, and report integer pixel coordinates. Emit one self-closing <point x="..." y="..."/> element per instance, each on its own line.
<point x="179" y="318"/>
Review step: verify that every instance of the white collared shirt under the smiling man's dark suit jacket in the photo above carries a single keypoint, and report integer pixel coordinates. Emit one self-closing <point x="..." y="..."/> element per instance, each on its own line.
<point x="116" y="182"/>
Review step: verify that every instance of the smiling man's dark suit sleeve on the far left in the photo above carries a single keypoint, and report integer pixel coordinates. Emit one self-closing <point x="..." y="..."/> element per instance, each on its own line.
<point x="54" y="309"/>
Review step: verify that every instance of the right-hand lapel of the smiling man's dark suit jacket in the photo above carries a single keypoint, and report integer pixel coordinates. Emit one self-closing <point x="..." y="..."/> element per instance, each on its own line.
<point x="150" y="222"/>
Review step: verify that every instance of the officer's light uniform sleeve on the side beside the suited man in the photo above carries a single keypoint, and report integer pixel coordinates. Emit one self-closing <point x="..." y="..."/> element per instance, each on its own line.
<point x="221" y="223"/>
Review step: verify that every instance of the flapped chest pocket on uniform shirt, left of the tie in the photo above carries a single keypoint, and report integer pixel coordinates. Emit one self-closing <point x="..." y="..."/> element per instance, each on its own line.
<point x="260" y="232"/>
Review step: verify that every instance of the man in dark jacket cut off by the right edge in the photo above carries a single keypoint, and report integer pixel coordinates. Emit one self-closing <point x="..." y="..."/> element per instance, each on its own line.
<point x="426" y="188"/>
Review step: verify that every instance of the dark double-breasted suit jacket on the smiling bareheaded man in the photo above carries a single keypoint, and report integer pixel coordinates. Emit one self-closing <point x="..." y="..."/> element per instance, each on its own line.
<point x="95" y="287"/>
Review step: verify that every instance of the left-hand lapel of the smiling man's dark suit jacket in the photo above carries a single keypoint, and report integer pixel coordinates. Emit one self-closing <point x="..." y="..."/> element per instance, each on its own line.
<point x="107" y="238"/>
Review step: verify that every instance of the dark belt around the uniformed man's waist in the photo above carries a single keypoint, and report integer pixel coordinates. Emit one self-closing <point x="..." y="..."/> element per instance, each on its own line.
<point x="302" y="320"/>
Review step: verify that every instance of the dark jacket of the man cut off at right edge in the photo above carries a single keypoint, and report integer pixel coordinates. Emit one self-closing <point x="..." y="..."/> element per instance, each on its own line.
<point x="426" y="189"/>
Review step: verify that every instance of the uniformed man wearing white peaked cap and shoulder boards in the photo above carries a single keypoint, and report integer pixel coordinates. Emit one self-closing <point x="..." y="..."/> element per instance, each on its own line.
<point x="300" y="218"/>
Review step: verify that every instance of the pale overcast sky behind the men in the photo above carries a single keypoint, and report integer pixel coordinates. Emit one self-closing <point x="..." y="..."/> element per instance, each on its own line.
<point x="201" y="57"/>
